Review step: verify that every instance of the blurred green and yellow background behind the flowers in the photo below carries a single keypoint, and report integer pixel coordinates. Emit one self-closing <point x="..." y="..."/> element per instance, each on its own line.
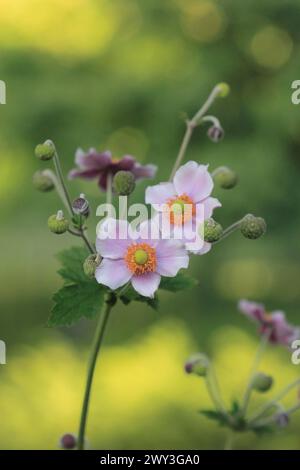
<point x="121" y="75"/>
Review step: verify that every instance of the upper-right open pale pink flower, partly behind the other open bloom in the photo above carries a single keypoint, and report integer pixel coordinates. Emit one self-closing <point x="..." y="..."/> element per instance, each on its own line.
<point x="187" y="202"/>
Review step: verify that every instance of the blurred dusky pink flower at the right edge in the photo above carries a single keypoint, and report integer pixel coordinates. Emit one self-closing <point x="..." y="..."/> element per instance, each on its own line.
<point x="274" y="323"/>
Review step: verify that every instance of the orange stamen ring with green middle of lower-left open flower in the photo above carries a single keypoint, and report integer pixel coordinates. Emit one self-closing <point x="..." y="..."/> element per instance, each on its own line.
<point x="140" y="258"/>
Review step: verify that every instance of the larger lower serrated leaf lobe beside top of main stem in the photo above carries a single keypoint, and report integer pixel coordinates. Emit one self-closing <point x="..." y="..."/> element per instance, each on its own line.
<point x="76" y="301"/>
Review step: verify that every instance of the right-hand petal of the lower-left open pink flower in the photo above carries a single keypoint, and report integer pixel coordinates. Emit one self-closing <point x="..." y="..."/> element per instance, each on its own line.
<point x="171" y="256"/>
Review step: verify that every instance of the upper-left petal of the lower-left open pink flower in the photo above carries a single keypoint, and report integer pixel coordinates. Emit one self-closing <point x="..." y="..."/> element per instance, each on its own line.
<point x="112" y="239"/>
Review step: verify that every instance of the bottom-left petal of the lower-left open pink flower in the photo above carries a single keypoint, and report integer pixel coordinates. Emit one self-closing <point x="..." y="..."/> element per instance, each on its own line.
<point x="113" y="273"/>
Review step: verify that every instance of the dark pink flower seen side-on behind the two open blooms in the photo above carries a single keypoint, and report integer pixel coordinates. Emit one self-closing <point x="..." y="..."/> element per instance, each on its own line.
<point x="93" y="164"/>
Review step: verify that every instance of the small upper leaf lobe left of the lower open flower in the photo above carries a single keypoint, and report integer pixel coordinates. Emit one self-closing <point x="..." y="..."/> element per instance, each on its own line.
<point x="72" y="260"/>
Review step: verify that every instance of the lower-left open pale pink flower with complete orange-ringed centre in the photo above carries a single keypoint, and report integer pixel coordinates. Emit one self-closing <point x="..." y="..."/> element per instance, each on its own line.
<point x="133" y="256"/>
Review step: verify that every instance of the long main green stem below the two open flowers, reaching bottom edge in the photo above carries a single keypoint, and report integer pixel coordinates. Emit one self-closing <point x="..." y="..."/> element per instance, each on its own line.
<point x="99" y="334"/>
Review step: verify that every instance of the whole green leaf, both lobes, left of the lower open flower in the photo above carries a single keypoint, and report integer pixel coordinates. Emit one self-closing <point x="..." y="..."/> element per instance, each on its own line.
<point x="80" y="296"/>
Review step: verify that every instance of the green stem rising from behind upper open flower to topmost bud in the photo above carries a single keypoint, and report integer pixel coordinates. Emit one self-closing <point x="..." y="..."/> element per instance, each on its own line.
<point x="190" y="126"/>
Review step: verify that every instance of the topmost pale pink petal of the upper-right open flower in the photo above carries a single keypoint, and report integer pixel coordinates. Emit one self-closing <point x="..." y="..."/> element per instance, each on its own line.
<point x="194" y="180"/>
